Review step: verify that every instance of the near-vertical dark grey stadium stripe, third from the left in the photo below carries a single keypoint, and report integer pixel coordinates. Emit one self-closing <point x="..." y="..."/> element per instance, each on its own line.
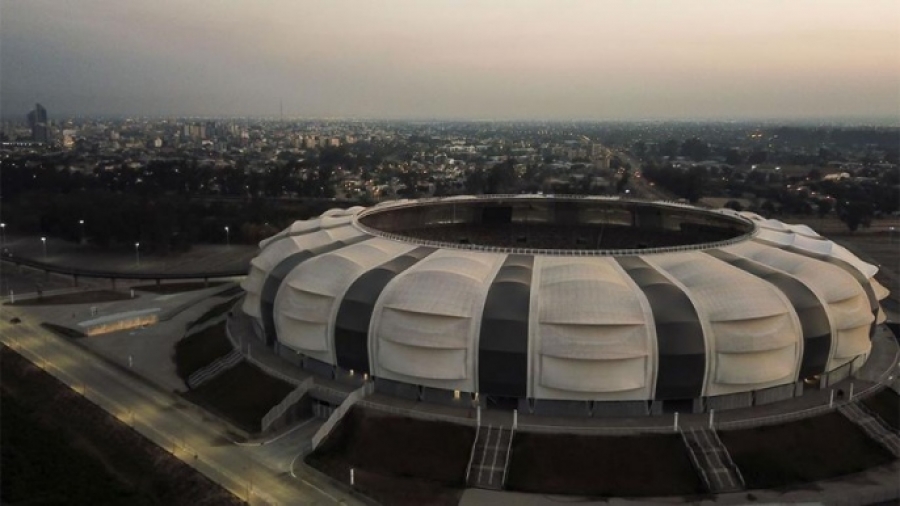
<point x="503" y="338"/>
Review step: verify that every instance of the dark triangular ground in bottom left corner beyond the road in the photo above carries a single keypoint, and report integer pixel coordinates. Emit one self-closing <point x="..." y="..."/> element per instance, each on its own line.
<point x="58" y="448"/>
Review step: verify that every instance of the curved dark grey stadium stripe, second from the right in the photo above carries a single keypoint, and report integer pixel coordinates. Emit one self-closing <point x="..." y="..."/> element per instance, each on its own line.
<point x="812" y="315"/>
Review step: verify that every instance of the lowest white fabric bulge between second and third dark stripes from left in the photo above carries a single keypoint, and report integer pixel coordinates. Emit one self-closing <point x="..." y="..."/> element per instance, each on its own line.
<point x="417" y="363"/>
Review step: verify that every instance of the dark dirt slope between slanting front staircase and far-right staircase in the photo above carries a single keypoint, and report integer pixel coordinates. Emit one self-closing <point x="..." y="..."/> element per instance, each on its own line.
<point x="795" y="453"/>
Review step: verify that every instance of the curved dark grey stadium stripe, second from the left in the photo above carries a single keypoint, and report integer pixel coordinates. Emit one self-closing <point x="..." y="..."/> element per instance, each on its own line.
<point x="351" y="327"/>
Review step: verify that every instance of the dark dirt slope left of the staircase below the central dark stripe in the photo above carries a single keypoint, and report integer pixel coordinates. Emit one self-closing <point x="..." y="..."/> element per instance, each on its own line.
<point x="398" y="460"/>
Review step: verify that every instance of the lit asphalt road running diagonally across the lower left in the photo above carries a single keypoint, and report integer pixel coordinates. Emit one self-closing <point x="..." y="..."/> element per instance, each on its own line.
<point x="198" y="439"/>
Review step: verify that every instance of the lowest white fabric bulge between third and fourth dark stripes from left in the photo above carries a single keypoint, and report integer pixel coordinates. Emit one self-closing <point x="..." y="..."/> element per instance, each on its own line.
<point x="592" y="376"/>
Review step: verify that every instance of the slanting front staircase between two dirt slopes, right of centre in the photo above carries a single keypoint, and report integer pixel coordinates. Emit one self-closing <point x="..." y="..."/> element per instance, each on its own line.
<point x="719" y="472"/>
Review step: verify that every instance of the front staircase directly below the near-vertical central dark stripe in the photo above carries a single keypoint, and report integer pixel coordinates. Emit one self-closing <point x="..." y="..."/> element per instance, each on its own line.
<point x="490" y="457"/>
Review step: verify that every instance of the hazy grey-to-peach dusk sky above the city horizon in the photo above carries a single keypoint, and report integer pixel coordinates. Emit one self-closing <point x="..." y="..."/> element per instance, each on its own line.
<point x="453" y="59"/>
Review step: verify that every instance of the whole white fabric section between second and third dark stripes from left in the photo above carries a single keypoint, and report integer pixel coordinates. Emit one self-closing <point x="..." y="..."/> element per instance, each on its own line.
<point x="432" y="312"/>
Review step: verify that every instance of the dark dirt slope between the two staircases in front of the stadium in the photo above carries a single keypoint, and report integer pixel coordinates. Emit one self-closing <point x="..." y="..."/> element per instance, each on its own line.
<point x="602" y="466"/>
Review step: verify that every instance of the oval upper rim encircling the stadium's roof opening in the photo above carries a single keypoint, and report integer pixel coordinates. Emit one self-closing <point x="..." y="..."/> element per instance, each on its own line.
<point x="721" y="214"/>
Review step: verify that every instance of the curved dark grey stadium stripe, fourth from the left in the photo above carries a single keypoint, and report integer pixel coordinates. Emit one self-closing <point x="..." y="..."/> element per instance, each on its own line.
<point x="679" y="334"/>
